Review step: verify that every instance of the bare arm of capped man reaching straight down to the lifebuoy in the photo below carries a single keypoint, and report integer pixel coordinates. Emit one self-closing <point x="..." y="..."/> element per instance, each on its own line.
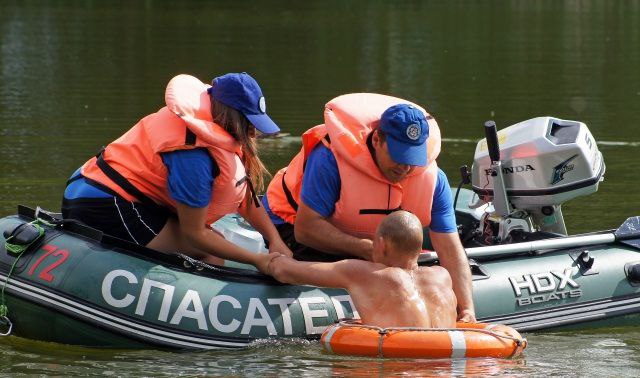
<point x="453" y="258"/>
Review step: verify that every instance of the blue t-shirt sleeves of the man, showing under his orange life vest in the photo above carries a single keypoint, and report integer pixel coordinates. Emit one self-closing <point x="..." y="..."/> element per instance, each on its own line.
<point x="321" y="190"/>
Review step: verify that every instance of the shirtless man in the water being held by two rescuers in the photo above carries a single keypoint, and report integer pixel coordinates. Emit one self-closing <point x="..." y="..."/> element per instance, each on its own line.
<point x="389" y="291"/>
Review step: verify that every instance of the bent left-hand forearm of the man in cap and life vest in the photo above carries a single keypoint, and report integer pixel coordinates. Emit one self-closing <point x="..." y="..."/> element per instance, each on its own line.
<point x="315" y="231"/>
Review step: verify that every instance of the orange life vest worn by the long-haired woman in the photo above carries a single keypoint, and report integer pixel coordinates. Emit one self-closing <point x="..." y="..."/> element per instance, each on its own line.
<point x="184" y="123"/>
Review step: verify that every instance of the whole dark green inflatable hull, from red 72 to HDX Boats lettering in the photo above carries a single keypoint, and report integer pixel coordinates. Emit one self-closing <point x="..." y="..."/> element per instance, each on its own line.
<point x="82" y="288"/>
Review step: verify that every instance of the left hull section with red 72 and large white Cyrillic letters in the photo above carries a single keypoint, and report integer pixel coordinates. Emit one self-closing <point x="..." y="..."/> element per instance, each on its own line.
<point x="143" y="298"/>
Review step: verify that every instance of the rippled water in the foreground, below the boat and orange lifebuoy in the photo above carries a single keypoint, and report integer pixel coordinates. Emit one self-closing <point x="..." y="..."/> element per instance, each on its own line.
<point x="614" y="352"/>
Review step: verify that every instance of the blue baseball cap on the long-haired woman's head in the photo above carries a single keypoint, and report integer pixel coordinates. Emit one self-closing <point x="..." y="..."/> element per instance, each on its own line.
<point x="242" y="92"/>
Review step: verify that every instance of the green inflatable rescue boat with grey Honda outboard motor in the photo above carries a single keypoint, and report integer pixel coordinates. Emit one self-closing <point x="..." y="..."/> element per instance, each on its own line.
<point x="64" y="282"/>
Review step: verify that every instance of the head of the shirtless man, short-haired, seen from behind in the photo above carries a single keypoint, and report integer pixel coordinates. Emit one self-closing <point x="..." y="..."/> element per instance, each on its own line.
<point x="398" y="235"/>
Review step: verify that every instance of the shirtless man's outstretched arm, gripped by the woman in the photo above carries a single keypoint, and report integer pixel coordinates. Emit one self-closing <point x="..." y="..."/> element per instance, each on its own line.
<point x="337" y="274"/>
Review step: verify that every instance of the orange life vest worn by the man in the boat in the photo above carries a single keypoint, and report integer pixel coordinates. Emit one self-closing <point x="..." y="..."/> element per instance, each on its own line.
<point x="366" y="196"/>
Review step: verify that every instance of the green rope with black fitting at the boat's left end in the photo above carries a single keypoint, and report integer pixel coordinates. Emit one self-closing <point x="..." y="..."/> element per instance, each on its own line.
<point x="16" y="243"/>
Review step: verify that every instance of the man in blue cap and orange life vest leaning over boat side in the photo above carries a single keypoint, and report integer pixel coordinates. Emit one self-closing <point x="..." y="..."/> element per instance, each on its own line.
<point x="373" y="155"/>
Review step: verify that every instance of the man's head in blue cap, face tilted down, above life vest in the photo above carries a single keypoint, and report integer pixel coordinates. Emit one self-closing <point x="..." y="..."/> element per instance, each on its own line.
<point x="400" y="141"/>
